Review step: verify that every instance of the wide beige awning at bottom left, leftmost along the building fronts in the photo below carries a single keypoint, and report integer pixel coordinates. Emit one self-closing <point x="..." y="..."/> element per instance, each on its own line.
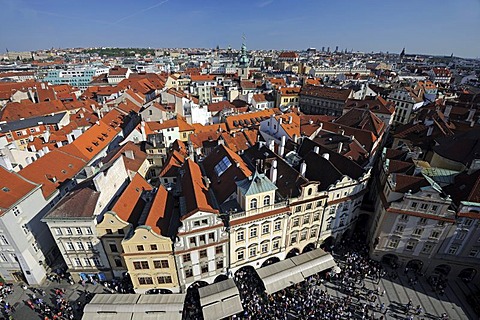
<point x="135" y="307"/>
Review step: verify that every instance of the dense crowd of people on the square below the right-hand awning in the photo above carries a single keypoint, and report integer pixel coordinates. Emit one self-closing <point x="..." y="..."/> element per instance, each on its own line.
<point x="314" y="298"/>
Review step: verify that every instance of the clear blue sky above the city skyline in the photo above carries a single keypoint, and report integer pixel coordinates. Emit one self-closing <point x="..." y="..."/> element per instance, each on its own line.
<point x="425" y="26"/>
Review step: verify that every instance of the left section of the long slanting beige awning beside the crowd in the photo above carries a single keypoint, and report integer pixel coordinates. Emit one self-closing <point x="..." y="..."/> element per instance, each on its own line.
<point x="279" y="276"/>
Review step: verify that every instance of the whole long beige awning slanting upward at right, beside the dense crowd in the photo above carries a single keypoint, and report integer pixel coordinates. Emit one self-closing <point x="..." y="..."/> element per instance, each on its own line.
<point x="291" y="271"/>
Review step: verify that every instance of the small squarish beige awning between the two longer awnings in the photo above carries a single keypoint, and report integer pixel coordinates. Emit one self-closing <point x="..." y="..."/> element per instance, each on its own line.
<point x="220" y="300"/>
